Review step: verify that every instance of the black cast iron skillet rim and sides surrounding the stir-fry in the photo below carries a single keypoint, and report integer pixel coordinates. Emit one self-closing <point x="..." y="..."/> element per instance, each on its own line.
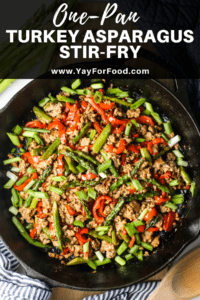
<point x="37" y="263"/>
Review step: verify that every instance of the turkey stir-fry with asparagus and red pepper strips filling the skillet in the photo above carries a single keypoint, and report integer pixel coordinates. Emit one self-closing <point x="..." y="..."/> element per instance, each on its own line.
<point x="96" y="176"/>
